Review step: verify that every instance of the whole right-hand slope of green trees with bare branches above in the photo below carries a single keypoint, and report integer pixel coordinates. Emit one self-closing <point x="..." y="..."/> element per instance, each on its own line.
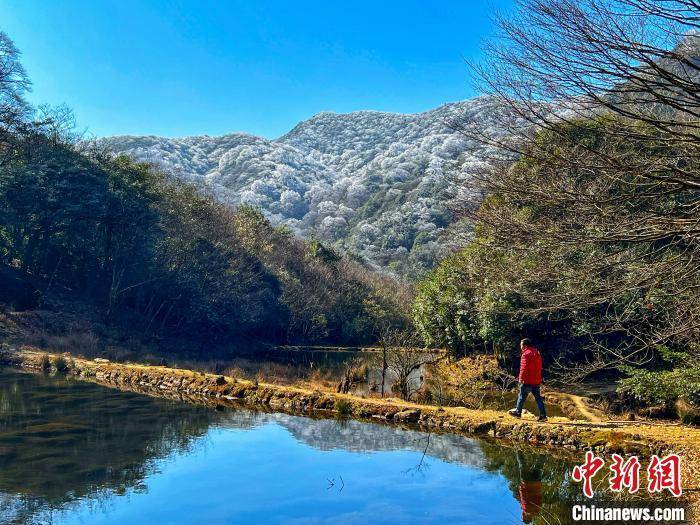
<point x="589" y="241"/>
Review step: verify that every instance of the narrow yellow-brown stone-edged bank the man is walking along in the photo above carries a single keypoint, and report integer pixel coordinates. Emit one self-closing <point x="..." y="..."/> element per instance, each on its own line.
<point x="642" y="439"/>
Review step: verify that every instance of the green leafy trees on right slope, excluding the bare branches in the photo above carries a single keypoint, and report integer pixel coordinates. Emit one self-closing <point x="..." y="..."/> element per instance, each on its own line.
<point x="521" y="274"/>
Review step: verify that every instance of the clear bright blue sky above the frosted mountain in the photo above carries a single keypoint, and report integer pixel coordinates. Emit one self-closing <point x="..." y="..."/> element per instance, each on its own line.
<point x="205" y="67"/>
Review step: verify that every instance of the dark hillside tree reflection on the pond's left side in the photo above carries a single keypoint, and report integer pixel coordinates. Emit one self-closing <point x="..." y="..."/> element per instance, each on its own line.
<point x="86" y="440"/>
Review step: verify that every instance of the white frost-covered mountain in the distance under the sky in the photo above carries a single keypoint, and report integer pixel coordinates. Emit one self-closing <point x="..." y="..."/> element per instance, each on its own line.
<point x="375" y="184"/>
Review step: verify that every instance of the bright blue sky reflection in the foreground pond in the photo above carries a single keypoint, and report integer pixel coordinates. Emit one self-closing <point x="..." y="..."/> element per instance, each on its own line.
<point x="267" y="476"/>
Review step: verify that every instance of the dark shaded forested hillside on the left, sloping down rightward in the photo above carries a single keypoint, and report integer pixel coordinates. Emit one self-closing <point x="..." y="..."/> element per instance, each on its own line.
<point x="78" y="223"/>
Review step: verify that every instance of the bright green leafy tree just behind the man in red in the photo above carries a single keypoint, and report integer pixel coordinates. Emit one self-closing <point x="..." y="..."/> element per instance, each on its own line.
<point x="465" y="305"/>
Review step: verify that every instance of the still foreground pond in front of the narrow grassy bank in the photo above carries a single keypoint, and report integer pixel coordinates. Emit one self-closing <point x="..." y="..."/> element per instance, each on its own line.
<point x="74" y="452"/>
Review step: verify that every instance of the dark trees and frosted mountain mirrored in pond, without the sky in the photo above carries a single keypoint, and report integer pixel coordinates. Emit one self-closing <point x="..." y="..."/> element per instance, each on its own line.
<point x="62" y="440"/>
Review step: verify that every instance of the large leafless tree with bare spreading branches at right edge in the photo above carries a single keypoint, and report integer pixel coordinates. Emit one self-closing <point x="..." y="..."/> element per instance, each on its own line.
<point x="600" y="106"/>
